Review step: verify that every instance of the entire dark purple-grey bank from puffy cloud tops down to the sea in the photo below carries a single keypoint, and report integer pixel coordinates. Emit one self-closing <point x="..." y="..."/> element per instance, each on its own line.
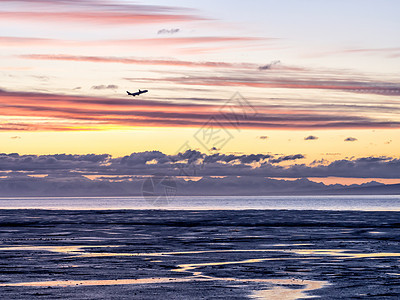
<point x="214" y="174"/>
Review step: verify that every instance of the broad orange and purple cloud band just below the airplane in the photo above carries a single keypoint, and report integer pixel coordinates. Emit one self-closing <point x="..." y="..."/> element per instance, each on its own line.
<point x="67" y="112"/>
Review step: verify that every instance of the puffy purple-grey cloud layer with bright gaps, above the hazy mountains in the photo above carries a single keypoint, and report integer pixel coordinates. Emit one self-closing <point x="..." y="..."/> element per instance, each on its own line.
<point x="218" y="164"/>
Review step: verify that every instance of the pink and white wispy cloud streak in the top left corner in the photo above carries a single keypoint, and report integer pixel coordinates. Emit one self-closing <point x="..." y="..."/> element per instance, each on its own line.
<point x="95" y="12"/>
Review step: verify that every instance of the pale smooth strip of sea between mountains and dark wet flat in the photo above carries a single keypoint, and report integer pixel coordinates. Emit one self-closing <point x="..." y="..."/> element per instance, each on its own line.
<point x="341" y="203"/>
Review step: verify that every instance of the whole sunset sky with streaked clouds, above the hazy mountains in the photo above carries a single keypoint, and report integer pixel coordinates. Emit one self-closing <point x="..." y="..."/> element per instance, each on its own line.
<point x="311" y="86"/>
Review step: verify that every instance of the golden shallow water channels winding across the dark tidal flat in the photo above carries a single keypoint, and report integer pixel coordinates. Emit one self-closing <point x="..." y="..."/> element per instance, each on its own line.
<point x="261" y="288"/>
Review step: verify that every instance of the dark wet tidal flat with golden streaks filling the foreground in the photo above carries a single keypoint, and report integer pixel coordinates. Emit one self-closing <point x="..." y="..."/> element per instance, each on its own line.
<point x="159" y="254"/>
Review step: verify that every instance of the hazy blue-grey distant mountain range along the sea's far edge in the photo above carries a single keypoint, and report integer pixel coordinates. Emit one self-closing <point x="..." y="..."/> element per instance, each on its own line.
<point x="247" y="186"/>
